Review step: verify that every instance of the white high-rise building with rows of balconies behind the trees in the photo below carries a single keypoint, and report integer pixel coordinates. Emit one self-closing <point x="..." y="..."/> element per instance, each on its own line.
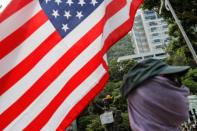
<point x="150" y="36"/>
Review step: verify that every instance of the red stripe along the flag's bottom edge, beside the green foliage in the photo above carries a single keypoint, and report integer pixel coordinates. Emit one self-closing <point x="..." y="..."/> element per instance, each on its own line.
<point x="76" y="110"/>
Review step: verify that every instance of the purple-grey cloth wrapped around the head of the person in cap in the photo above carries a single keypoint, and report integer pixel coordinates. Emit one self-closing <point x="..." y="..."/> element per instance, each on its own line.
<point x="158" y="105"/>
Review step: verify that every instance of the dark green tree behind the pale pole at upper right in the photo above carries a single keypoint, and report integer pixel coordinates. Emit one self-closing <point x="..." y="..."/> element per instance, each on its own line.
<point x="187" y="13"/>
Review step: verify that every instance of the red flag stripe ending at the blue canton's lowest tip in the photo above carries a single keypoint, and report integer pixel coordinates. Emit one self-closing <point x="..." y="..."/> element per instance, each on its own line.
<point x="8" y="80"/>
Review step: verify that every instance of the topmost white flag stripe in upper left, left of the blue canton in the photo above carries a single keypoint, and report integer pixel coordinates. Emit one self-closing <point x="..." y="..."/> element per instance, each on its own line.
<point x="13" y="22"/>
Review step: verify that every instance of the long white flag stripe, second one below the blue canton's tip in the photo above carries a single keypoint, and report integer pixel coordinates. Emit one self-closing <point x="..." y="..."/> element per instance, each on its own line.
<point x="43" y="100"/>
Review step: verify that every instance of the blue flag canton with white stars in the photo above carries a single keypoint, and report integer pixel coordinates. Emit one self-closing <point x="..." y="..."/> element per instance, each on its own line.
<point x="65" y="15"/>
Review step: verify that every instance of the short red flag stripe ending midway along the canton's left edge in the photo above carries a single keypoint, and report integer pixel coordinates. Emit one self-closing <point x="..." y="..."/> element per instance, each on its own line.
<point x="18" y="36"/>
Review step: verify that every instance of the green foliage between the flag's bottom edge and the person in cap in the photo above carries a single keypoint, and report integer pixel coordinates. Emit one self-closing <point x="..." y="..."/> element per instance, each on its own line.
<point x="89" y="120"/>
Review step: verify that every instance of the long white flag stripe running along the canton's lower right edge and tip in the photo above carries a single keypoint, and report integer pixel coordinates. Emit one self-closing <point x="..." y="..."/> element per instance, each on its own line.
<point x="11" y="95"/>
